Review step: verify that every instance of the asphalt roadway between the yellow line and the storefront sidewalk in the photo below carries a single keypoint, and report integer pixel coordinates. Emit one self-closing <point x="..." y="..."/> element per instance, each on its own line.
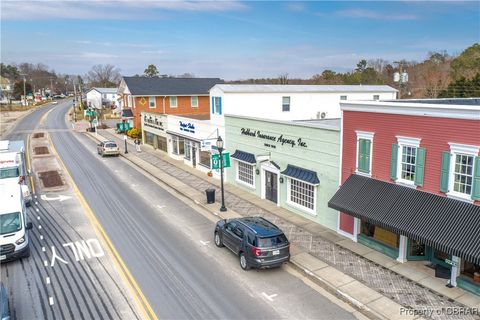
<point x="168" y="248"/>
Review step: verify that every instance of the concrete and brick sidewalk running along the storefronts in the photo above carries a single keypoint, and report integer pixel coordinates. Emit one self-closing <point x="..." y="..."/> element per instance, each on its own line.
<point x="376" y="284"/>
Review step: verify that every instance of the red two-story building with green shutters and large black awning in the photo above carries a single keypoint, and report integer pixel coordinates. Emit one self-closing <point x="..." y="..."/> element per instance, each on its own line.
<point x="410" y="183"/>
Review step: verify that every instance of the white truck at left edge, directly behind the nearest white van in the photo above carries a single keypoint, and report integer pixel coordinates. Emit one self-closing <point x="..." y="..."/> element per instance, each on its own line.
<point x="13" y="166"/>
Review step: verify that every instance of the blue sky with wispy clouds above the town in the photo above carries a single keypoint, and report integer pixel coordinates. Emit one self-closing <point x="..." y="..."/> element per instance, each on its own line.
<point x="232" y="39"/>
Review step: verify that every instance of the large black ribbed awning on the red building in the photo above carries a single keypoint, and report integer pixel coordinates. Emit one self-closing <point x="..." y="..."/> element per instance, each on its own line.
<point x="449" y="225"/>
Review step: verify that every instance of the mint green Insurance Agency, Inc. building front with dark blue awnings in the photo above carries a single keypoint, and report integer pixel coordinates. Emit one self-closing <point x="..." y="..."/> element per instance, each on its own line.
<point x="295" y="164"/>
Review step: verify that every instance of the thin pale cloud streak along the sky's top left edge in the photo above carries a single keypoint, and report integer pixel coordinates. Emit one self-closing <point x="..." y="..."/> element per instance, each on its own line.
<point x="109" y="9"/>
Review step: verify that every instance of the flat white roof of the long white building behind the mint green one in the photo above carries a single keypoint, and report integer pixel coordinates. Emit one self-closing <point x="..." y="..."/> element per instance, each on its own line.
<point x="278" y="88"/>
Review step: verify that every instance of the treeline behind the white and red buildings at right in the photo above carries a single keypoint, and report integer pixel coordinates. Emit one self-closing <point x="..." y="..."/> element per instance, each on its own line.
<point x="440" y="75"/>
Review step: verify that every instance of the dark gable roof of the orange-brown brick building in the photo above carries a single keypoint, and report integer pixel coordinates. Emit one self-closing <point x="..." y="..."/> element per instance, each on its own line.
<point x="144" y="86"/>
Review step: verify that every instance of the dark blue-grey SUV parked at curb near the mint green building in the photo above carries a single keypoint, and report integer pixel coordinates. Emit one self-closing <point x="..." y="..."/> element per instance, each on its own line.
<point x="257" y="242"/>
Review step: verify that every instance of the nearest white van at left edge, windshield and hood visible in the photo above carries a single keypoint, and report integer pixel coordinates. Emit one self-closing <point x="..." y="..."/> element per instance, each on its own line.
<point x="13" y="224"/>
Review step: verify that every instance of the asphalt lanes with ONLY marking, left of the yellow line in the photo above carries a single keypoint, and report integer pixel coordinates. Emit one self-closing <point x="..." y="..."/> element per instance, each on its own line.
<point x="44" y="287"/>
